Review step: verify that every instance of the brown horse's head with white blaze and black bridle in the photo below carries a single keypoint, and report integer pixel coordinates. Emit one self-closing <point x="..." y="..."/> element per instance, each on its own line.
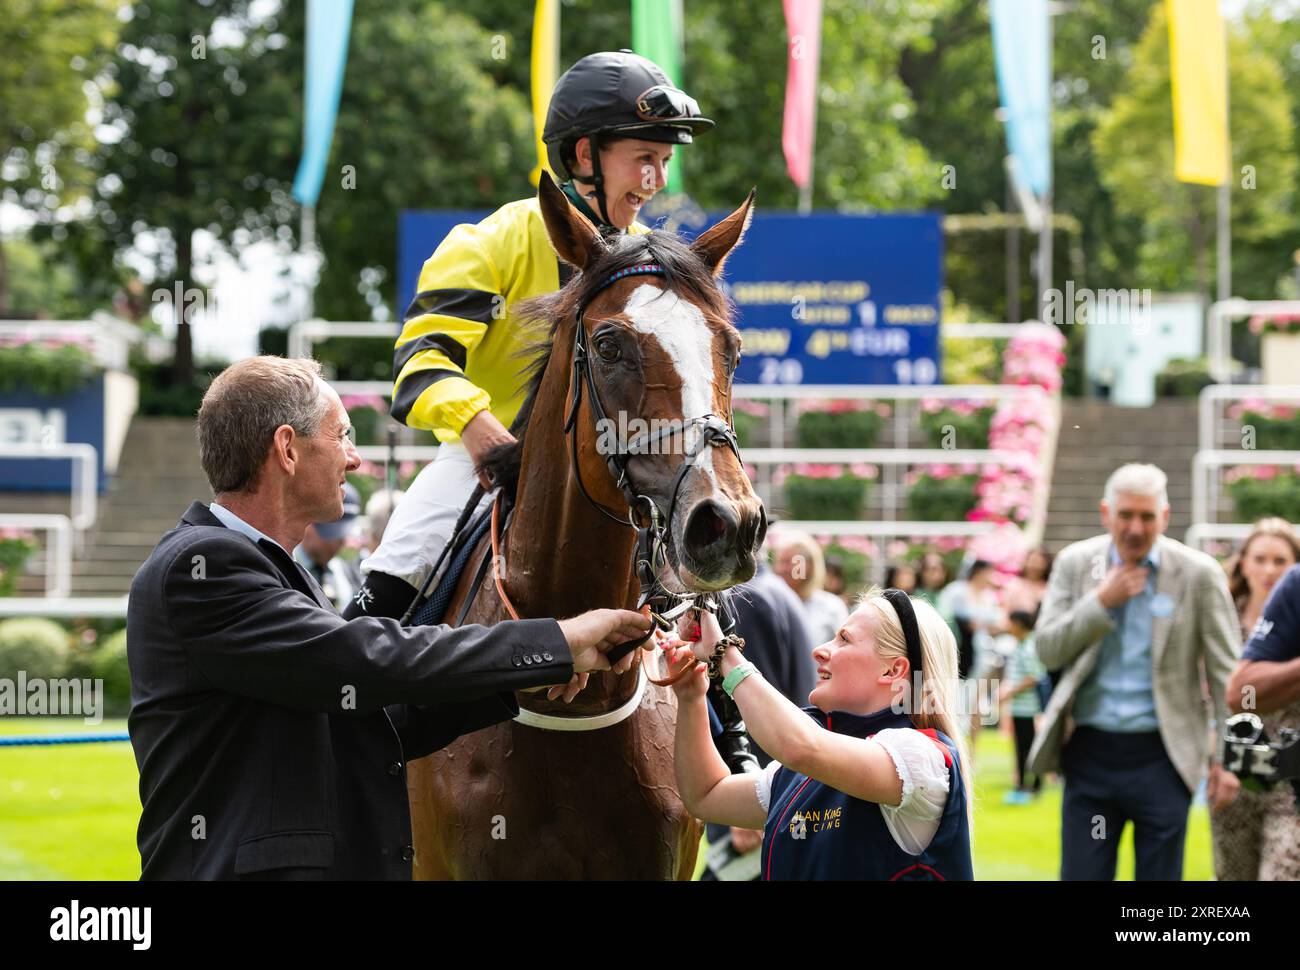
<point x="651" y="391"/>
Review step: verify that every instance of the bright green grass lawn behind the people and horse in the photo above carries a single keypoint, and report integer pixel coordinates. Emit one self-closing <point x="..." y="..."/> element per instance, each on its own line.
<point x="70" y="812"/>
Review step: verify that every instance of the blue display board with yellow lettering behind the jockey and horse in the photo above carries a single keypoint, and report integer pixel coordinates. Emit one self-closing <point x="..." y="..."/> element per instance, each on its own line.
<point x="821" y="300"/>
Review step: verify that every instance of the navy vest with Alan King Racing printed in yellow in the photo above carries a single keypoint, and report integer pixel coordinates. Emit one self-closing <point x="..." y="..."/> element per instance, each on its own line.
<point x="820" y="833"/>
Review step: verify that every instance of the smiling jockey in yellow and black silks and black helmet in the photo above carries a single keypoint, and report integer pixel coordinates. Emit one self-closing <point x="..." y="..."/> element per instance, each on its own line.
<point x="612" y="127"/>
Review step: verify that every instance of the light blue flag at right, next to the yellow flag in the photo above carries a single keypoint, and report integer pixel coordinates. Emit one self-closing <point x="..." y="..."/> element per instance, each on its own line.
<point x="1022" y="51"/>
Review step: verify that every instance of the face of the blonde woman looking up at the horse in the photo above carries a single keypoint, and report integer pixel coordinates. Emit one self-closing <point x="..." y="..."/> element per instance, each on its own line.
<point x="852" y="677"/>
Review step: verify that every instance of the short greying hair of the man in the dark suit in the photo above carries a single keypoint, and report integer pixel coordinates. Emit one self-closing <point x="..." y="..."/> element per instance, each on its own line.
<point x="245" y="406"/>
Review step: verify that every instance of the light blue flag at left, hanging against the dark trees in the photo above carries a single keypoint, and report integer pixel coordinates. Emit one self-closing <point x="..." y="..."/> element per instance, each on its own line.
<point x="328" y="27"/>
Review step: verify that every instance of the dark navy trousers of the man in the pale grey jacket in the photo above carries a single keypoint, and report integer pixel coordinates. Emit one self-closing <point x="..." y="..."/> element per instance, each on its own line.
<point x="1112" y="780"/>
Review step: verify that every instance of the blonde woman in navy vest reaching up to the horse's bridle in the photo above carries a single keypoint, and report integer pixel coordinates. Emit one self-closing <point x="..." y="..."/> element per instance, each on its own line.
<point x="860" y="789"/>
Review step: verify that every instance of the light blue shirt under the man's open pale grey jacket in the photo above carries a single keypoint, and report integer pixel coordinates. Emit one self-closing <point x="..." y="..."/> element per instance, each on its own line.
<point x="1119" y="696"/>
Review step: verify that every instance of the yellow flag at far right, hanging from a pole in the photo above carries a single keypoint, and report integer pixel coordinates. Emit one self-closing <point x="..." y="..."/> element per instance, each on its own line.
<point x="1198" y="60"/>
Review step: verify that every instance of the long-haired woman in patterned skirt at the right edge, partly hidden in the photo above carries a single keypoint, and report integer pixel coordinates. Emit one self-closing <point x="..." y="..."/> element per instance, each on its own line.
<point x="1258" y="835"/>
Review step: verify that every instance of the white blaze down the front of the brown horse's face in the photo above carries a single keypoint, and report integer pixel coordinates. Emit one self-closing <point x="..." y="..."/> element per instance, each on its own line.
<point x="684" y="335"/>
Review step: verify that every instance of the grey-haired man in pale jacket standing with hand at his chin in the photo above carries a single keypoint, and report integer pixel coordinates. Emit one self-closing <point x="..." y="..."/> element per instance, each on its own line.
<point x="1133" y="620"/>
